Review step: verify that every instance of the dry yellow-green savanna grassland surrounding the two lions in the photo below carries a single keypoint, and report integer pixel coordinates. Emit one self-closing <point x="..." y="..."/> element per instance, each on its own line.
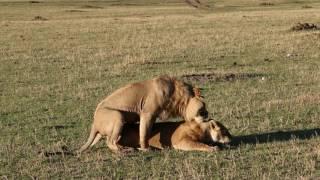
<point x="261" y="79"/>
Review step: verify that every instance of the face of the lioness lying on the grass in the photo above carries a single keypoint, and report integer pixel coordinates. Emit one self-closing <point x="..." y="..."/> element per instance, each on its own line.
<point x="219" y="133"/>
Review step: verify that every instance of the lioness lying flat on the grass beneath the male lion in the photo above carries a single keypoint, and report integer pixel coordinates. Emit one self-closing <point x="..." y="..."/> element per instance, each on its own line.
<point x="187" y="136"/>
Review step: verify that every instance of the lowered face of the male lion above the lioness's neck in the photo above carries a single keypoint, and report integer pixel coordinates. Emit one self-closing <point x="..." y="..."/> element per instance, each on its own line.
<point x="196" y="109"/>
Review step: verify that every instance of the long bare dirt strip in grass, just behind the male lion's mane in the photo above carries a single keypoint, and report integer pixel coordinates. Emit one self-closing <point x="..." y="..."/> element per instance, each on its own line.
<point x="205" y="77"/>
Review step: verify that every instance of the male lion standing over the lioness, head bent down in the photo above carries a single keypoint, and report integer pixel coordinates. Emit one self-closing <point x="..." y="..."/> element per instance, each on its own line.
<point x="161" y="97"/>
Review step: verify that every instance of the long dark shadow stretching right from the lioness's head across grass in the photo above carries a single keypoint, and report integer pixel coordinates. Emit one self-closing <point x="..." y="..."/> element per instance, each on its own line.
<point x="275" y="137"/>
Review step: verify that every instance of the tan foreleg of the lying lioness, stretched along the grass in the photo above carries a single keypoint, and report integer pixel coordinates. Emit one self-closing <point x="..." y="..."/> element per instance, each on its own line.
<point x="191" y="145"/>
